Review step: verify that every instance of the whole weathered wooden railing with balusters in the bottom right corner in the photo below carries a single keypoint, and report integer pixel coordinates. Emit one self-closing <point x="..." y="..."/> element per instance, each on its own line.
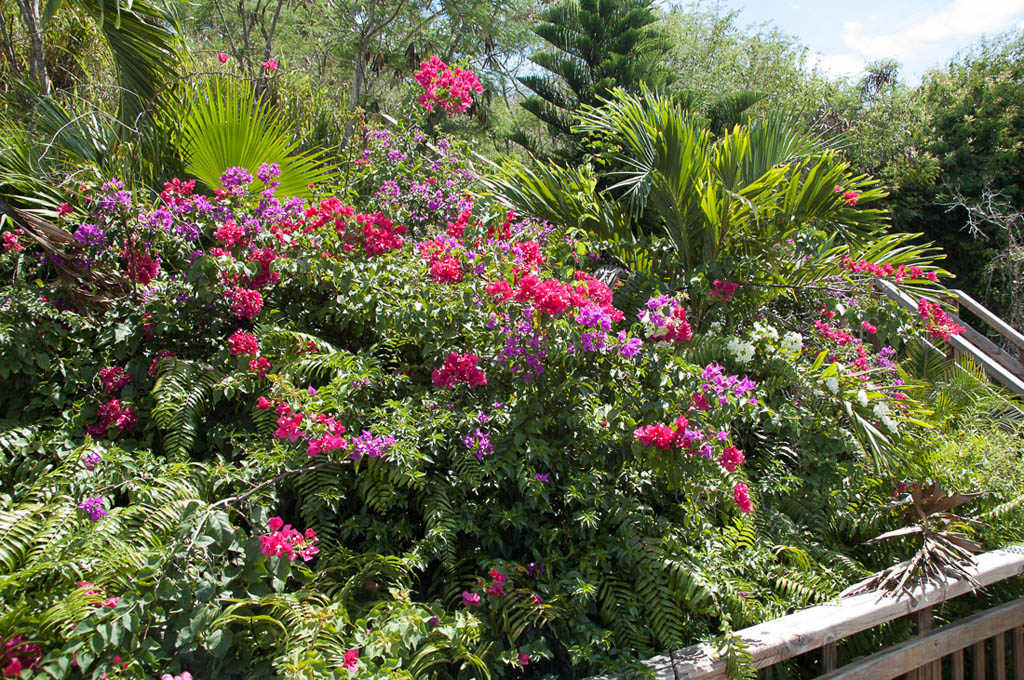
<point x="977" y="644"/>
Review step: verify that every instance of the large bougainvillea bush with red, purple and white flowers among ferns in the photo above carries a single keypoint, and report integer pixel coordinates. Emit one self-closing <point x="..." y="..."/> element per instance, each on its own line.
<point x="400" y="431"/>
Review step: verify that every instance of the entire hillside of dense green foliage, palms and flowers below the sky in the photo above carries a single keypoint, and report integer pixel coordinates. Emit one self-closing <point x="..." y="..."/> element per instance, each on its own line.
<point x="530" y="419"/>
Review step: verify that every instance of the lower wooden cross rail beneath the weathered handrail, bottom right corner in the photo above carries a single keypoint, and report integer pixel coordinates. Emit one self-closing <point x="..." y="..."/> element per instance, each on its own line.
<point x="923" y="651"/>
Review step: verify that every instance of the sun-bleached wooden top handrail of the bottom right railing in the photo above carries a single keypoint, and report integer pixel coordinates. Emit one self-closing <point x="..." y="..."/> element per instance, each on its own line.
<point x="804" y="631"/>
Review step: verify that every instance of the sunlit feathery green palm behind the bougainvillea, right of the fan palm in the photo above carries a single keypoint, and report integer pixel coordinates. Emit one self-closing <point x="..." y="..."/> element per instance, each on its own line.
<point x="712" y="198"/>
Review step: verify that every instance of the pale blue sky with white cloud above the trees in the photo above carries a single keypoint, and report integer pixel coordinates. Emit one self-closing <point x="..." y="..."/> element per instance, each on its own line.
<point x="921" y="34"/>
